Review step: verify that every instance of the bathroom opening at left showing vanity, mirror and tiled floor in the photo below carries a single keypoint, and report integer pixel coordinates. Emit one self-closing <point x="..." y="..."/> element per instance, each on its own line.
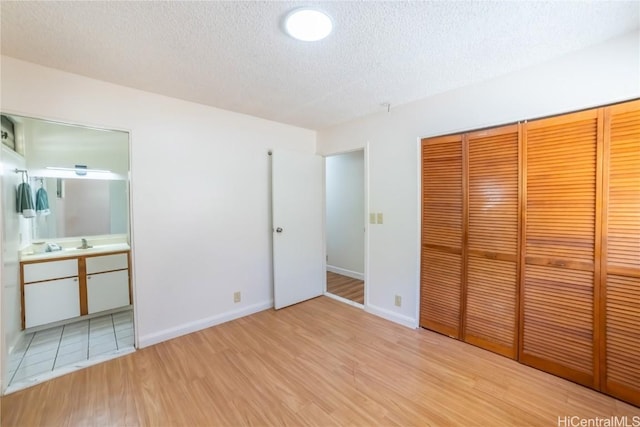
<point x="66" y="292"/>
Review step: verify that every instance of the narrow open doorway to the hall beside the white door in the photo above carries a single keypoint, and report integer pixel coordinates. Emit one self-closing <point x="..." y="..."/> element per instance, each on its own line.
<point x="345" y="226"/>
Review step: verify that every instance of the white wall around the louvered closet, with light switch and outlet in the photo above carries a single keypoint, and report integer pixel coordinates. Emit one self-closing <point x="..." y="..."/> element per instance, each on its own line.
<point x="603" y="74"/>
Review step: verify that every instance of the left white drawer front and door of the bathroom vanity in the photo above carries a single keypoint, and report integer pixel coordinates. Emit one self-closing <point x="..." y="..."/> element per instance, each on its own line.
<point x="51" y="292"/>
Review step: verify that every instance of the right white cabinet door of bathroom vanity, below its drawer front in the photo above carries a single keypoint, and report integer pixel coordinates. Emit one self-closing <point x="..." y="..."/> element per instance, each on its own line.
<point x="107" y="290"/>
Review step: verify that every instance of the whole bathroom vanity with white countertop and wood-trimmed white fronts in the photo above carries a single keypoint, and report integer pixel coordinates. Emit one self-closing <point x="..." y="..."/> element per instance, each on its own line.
<point x="74" y="282"/>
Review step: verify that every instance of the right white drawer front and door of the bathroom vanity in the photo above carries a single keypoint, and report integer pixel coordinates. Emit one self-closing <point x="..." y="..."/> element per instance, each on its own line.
<point x="107" y="282"/>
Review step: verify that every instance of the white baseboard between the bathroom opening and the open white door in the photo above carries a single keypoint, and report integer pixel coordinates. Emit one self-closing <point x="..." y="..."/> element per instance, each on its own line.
<point x="187" y="328"/>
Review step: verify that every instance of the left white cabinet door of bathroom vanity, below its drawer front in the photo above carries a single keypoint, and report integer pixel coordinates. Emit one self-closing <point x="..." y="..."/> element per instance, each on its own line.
<point x="47" y="302"/>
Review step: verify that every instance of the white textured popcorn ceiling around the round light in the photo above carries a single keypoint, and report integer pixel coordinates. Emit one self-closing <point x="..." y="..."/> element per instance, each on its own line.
<point x="234" y="55"/>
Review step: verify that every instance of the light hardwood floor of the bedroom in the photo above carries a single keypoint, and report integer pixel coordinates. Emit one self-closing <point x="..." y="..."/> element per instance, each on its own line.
<point x="320" y="362"/>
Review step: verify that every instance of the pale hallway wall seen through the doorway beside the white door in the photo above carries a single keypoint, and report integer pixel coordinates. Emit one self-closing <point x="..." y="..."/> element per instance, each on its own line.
<point x="345" y="213"/>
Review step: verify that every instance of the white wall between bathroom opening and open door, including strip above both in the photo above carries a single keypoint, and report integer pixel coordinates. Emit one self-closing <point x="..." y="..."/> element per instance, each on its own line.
<point x="193" y="244"/>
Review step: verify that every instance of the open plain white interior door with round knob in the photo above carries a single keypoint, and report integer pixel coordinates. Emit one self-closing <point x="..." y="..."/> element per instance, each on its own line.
<point x="298" y="248"/>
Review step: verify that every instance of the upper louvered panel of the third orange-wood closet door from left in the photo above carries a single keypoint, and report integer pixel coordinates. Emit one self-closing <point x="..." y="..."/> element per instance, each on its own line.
<point x="561" y="189"/>
